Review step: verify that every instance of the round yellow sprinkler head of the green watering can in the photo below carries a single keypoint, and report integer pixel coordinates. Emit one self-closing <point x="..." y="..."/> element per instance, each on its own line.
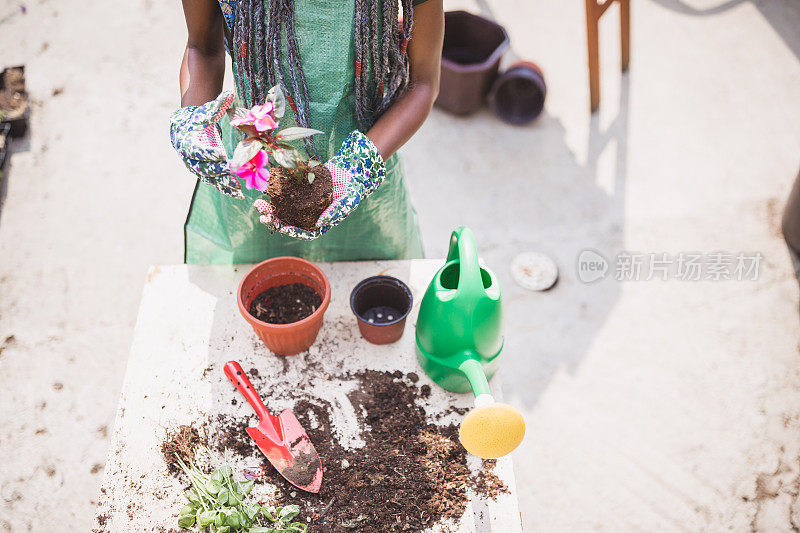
<point x="491" y="430"/>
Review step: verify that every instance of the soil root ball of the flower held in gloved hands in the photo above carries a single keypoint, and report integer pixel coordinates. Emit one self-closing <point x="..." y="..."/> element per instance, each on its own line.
<point x="297" y="202"/>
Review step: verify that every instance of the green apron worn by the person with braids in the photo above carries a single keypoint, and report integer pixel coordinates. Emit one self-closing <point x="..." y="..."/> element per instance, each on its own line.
<point x="224" y="230"/>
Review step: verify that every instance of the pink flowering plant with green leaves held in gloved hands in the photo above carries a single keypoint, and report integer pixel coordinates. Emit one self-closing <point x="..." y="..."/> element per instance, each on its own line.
<point x="262" y="140"/>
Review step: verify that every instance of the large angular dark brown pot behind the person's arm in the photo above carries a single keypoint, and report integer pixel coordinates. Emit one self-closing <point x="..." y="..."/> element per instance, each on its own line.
<point x="473" y="47"/>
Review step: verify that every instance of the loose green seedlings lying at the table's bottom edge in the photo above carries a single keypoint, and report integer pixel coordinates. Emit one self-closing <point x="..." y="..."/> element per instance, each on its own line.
<point x="217" y="504"/>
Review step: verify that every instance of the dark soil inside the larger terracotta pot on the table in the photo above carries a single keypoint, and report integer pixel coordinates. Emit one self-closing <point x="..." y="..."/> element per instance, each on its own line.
<point x="285" y="304"/>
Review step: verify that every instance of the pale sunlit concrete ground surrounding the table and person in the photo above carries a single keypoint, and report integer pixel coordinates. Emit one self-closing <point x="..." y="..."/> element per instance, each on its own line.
<point x="651" y="405"/>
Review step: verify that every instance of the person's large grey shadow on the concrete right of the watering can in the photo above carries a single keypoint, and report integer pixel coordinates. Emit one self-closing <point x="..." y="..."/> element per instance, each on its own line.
<point x="523" y="189"/>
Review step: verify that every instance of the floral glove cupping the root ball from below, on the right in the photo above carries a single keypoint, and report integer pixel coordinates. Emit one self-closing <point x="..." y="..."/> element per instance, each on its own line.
<point x="357" y="171"/>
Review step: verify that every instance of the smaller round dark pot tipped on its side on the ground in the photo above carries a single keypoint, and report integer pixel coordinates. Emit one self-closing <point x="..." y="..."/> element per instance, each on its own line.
<point x="517" y="96"/>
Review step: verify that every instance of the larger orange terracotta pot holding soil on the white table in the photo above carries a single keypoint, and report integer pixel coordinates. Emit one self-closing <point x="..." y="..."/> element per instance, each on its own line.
<point x="284" y="339"/>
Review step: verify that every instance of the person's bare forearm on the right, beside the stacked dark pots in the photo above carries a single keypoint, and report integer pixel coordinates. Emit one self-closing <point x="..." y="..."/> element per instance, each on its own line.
<point x="406" y="115"/>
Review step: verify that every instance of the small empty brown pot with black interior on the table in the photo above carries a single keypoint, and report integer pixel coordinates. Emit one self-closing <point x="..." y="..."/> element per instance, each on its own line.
<point x="381" y="305"/>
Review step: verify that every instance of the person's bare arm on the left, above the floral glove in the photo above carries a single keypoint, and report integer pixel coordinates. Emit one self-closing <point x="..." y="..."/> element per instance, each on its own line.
<point x="203" y="65"/>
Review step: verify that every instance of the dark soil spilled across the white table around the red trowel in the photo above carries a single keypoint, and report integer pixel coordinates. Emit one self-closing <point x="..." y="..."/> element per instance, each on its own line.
<point x="410" y="475"/>
